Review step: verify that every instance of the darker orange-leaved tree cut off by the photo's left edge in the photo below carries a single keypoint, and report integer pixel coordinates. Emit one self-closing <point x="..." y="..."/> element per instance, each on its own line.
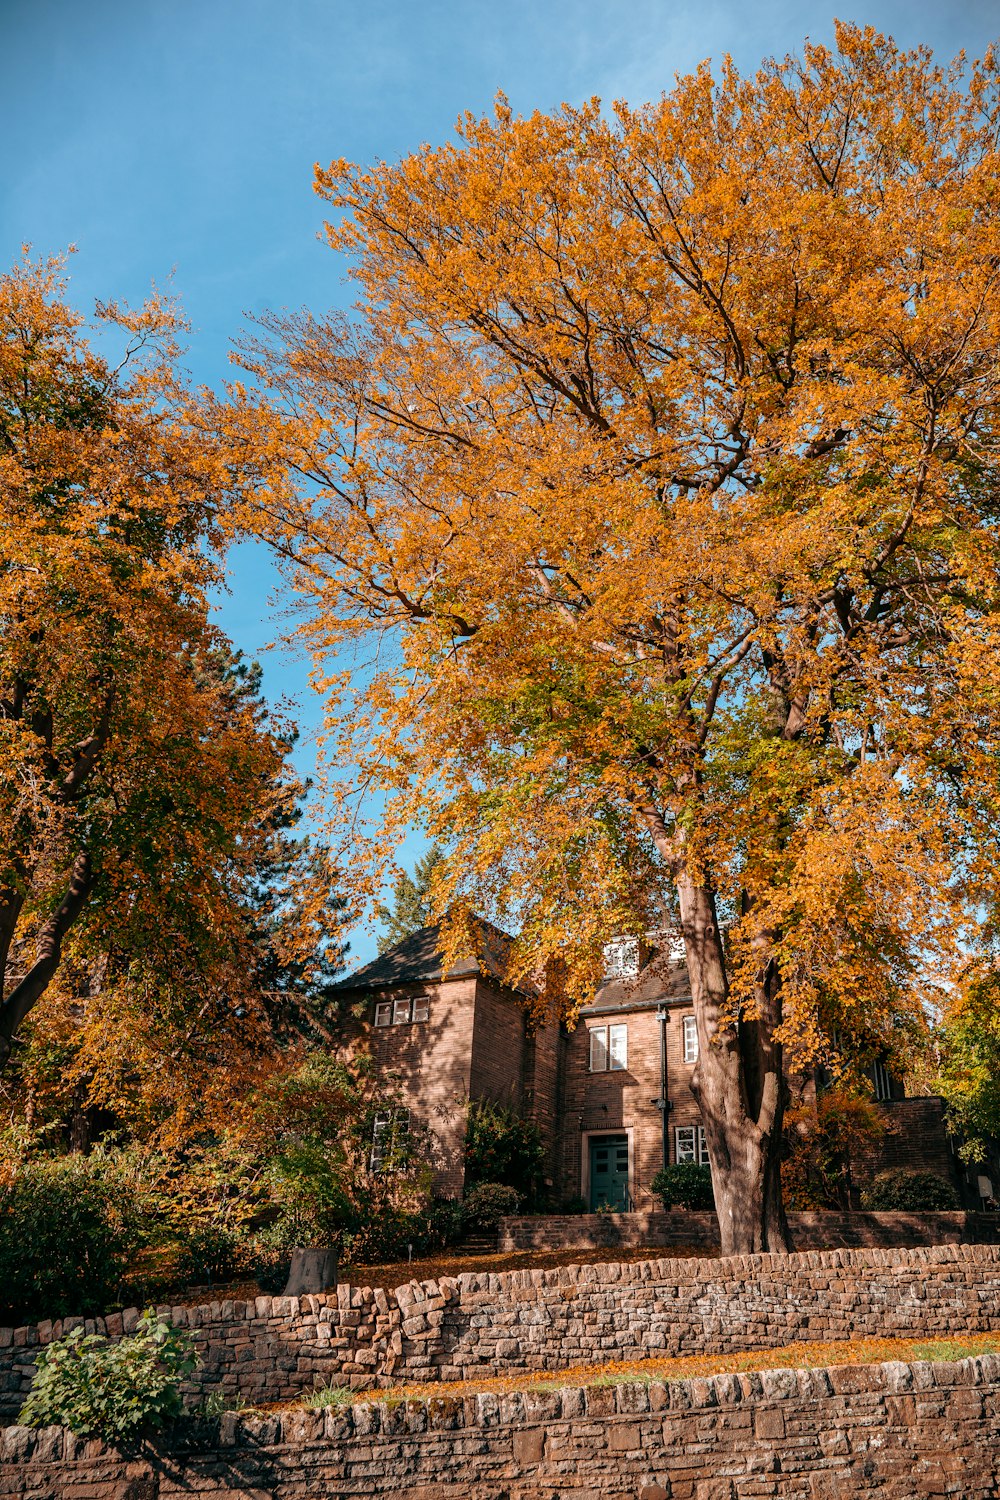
<point x="143" y="788"/>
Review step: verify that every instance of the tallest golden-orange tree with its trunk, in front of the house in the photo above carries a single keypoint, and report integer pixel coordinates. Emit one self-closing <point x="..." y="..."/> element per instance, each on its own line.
<point x="662" y="467"/>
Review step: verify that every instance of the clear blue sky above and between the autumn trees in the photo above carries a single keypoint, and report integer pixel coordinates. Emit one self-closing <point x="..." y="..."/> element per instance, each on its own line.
<point x="179" y="137"/>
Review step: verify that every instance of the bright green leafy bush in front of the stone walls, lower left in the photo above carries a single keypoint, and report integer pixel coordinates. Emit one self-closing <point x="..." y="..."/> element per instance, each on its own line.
<point x="112" y="1390"/>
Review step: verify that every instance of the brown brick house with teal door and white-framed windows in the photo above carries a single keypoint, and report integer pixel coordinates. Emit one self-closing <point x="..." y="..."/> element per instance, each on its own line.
<point x="611" y="1097"/>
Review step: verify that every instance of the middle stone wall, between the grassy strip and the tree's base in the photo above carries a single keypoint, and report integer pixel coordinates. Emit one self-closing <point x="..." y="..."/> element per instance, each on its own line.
<point x="545" y="1321"/>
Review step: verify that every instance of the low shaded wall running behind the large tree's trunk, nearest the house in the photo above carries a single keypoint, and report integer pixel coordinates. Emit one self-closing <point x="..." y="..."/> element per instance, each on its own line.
<point x="701" y="1231"/>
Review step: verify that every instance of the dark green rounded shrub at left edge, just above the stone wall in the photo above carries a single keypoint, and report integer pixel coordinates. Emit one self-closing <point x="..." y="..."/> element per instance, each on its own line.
<point x="68" y="1229"/>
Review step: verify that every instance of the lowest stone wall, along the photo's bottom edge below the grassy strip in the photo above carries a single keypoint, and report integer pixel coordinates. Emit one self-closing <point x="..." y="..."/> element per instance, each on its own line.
<point x="899" y="1432"/>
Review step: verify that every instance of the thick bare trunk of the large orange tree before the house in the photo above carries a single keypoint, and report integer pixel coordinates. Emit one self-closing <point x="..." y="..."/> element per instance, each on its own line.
<point x="740" y="1090"/>
